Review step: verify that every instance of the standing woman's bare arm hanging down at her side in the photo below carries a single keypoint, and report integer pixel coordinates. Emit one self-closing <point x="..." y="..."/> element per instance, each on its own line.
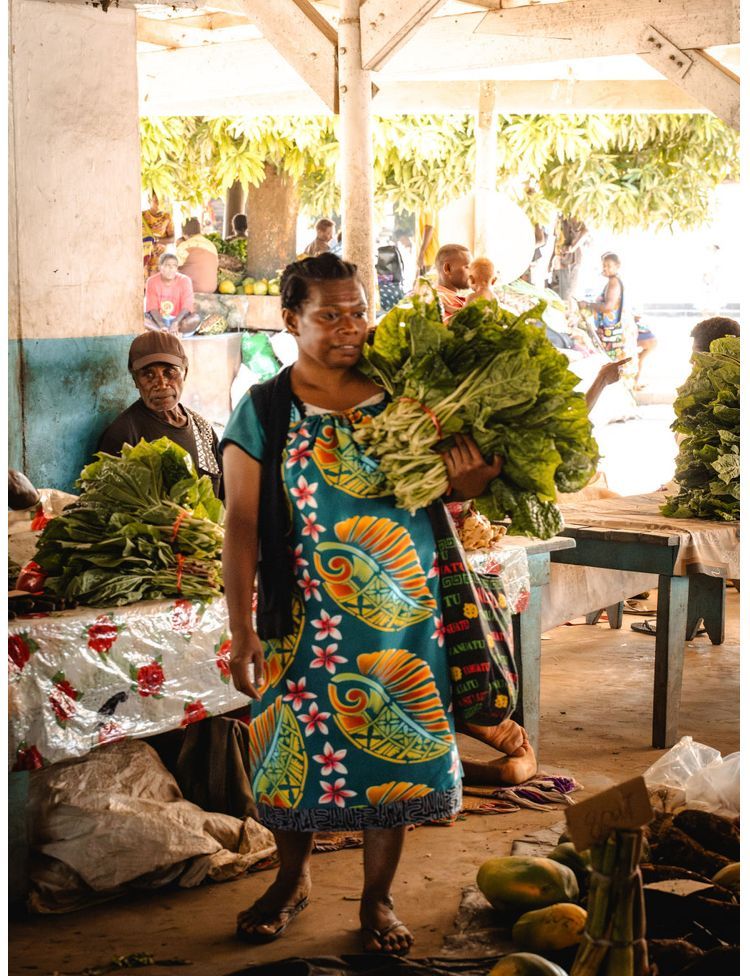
<point x="240" y="561"/>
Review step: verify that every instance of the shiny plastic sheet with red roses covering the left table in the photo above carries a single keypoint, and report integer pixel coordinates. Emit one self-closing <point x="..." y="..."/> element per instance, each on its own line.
<point x="82" y="678"/>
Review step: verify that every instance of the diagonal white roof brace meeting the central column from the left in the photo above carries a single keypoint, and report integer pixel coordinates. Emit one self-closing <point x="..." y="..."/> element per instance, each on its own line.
<point x="303" y="37"/>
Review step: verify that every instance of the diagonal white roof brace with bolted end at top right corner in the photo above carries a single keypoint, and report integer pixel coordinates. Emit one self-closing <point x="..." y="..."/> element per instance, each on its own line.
<point x="697" y="73"/>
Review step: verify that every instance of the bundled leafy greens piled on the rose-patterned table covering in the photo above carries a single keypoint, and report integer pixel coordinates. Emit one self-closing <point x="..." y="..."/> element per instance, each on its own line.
<point x="145" y="527"/>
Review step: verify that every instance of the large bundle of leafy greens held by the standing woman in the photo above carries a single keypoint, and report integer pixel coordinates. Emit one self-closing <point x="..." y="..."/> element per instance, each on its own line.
<point x="490" y="374"/>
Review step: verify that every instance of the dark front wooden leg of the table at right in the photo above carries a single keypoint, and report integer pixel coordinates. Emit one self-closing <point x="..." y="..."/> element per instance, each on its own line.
<point x="671" y="620"/>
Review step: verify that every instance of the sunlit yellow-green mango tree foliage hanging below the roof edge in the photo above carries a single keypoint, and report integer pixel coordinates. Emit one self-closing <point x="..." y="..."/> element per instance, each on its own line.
<point x="619" y="171"/>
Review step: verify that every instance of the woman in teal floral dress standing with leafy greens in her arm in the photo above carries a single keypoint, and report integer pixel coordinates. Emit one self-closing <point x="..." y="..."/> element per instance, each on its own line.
<point x="353" y="729"/>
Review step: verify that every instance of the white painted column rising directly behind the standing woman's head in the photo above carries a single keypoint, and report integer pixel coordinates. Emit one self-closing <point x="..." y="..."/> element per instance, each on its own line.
<point x="356" y="167"/>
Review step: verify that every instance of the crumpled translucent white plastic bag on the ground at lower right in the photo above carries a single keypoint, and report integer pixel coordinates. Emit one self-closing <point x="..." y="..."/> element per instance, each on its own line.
<point x="696" y="776"/>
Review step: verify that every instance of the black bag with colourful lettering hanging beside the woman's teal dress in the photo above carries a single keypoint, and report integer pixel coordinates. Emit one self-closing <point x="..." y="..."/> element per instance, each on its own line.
<point x="478" y="632"/>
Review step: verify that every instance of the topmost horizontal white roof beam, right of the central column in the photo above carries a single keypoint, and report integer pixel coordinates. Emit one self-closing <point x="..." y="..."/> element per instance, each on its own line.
<point x="563" y="31"/>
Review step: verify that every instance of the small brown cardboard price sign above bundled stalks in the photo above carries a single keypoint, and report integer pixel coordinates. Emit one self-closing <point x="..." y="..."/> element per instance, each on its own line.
<point x="624" y="807"/>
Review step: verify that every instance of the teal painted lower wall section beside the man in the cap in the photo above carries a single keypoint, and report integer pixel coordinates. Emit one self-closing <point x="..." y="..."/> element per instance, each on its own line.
<point x="66" y="391"/>
